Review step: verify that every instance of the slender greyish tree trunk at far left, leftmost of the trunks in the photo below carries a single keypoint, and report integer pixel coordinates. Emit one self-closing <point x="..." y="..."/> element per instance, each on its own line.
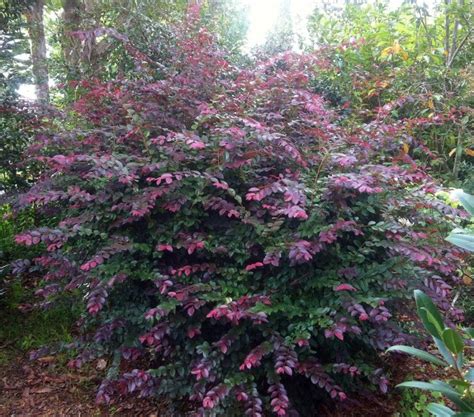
<point x="34" y="17"/>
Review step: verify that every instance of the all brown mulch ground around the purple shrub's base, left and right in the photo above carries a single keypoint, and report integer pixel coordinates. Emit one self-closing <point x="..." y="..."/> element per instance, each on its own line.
<point x="47" y="388"/>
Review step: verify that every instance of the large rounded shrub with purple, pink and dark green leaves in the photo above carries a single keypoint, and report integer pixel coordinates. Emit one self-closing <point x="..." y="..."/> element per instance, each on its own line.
<point x="231" y="239"/>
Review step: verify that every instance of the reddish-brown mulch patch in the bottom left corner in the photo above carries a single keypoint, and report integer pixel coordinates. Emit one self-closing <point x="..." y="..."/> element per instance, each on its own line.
<point x="48" y="389"/>
